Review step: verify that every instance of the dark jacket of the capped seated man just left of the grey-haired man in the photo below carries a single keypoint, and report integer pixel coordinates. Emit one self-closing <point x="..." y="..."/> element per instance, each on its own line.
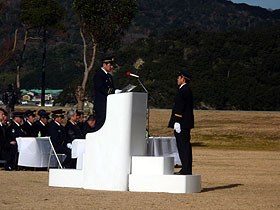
<point x="57" y="134"/>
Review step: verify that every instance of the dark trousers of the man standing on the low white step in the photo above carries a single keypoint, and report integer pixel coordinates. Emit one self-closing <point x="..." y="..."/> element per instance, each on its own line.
<point x="185" y="150"/>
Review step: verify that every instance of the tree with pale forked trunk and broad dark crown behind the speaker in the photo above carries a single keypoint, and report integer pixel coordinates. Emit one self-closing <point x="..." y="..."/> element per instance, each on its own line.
<point x="102" y="24"/>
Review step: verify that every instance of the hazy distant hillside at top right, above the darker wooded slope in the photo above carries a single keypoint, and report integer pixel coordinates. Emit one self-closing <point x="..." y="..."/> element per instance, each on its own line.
<point x="157" y="16"/>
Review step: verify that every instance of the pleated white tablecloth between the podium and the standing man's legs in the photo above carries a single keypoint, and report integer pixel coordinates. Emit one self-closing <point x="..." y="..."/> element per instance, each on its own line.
<point x="163" y="146"/>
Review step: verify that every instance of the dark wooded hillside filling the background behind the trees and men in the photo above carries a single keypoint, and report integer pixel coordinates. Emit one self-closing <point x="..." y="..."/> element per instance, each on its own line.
<point x="224" y="44"/>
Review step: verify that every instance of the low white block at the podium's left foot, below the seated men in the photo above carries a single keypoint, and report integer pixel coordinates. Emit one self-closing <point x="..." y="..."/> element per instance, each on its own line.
<point x="66" y="178"/>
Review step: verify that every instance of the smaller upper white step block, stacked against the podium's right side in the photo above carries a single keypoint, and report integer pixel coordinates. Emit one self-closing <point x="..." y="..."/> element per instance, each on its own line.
<point x="148" y="165"/>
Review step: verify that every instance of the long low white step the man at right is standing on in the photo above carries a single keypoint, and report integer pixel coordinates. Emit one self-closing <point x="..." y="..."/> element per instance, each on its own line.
<point x="165" y="183"/>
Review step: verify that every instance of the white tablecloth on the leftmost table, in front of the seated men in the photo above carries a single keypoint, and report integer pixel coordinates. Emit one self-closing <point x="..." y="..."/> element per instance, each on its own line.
<point x="33" y="152"/>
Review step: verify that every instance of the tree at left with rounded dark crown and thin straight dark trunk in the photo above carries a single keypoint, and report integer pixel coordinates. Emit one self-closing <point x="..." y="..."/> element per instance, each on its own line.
<point x="42" y="15"/>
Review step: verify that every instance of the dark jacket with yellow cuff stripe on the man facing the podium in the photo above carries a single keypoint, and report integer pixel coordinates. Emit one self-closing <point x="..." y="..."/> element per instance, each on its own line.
<point x="182" y="111"/>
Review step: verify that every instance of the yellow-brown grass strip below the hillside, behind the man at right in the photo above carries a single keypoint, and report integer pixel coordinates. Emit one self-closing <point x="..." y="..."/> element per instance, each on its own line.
<point x="226" y="129"/>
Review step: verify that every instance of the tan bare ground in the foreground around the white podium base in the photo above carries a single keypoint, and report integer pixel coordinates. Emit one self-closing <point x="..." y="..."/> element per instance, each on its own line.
<point x="231" y="179"/>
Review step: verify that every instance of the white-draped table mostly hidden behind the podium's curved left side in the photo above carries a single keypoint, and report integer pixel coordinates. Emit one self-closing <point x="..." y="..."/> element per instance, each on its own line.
<point x="78" y="149"/>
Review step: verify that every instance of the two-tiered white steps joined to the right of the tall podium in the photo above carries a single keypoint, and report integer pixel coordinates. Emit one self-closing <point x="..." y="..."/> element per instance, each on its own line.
<point x="155" y="174"/>
